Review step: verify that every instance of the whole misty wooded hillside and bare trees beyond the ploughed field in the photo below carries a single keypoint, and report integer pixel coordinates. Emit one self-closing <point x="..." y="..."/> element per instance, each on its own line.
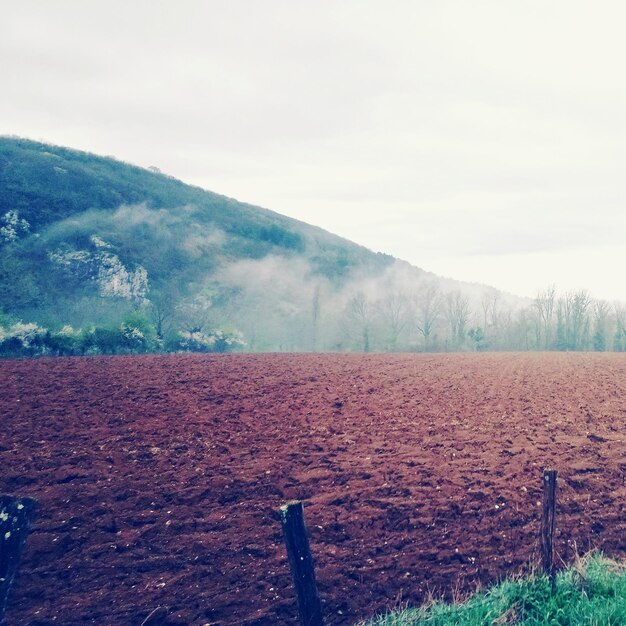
<point x="100" y="256"/>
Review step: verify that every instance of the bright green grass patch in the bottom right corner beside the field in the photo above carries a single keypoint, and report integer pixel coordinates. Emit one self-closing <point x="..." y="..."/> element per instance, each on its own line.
<point x="592" y="592"/>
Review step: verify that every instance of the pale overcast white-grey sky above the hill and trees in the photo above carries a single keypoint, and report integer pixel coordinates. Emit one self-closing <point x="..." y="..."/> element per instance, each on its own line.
<point x="483" y="141"/>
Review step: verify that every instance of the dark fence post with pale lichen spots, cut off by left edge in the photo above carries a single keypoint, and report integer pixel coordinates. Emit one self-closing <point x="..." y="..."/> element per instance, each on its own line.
<point x="16" y="515"/>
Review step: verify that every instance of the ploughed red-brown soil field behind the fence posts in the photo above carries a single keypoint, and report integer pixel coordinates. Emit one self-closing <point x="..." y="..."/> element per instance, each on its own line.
<point x="159" y="478"/>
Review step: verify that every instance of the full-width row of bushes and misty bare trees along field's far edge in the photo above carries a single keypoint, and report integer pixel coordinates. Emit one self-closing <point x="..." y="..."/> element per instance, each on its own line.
<point x="424" y="318"/>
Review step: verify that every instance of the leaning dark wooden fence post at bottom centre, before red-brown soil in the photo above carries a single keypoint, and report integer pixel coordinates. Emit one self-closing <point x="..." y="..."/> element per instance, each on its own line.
<point x="301" y="562"/>
